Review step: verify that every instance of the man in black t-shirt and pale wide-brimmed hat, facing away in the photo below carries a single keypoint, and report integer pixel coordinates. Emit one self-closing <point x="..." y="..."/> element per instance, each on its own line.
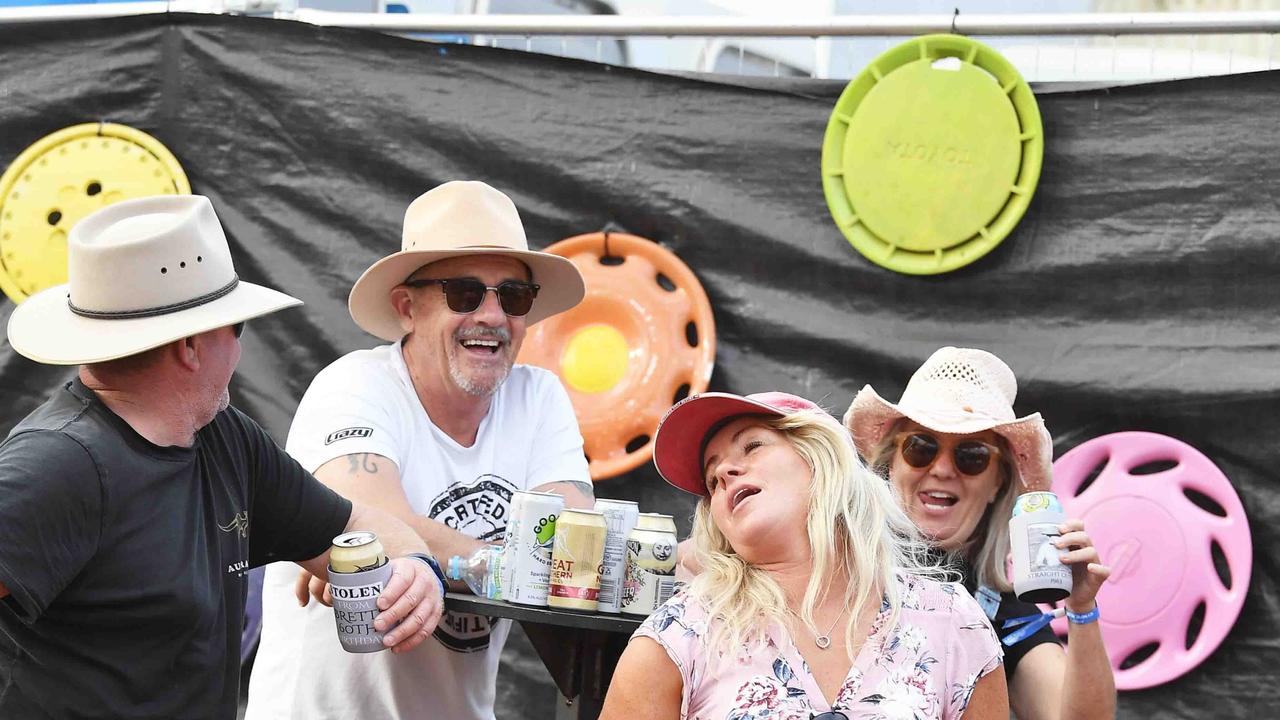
<point x="134" y="502"/>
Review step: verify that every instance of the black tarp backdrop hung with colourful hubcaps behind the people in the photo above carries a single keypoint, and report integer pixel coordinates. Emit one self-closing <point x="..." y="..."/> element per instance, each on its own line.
<point x="1137" y="294"/>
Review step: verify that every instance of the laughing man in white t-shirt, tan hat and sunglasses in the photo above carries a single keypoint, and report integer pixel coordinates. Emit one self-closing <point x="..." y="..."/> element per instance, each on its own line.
<point x="441" y="429"/>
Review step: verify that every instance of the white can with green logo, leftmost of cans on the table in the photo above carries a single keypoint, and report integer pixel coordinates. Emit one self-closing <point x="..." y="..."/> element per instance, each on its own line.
<point x="527" y="568"/>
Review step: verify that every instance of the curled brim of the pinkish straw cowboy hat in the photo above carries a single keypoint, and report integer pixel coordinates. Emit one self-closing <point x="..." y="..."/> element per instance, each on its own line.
<point x="870" y="418"/>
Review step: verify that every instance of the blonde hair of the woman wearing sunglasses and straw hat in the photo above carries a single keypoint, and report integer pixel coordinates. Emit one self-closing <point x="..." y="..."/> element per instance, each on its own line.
<point x="988" y="549"/>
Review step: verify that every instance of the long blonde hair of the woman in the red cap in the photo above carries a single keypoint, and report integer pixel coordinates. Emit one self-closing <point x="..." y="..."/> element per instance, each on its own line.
<point x="854" y="527"/>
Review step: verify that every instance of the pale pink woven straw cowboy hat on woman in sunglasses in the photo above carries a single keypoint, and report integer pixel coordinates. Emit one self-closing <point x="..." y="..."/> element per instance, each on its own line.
<point x="959" y="391"/>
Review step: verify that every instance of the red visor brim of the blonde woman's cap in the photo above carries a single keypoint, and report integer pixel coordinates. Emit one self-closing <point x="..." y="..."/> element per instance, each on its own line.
<point x="678" y="444"/>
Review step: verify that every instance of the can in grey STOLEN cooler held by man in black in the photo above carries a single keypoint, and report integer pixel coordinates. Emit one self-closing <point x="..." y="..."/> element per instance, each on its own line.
<point x="358" y="573"/>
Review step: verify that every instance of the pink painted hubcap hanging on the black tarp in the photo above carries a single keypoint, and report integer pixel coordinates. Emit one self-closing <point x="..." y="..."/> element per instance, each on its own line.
<point x="1158" y="544"/>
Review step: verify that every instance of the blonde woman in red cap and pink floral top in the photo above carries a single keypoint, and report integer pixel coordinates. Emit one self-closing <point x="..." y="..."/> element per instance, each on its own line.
<point x="810" y="603"/>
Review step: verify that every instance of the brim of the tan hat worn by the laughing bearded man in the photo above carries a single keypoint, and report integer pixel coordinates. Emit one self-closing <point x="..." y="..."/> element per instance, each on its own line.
<point x="563" y="286"/>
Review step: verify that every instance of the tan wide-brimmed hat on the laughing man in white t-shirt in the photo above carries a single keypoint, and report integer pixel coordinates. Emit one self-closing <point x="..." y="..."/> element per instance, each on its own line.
<point x="451" y="221"/>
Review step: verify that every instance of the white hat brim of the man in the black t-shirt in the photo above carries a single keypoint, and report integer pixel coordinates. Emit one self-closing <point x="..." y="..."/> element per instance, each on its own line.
<point x="45" y="330"/>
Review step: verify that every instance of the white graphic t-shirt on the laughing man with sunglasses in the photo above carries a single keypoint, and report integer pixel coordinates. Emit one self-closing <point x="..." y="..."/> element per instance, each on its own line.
<point x="365" y="403"/>
